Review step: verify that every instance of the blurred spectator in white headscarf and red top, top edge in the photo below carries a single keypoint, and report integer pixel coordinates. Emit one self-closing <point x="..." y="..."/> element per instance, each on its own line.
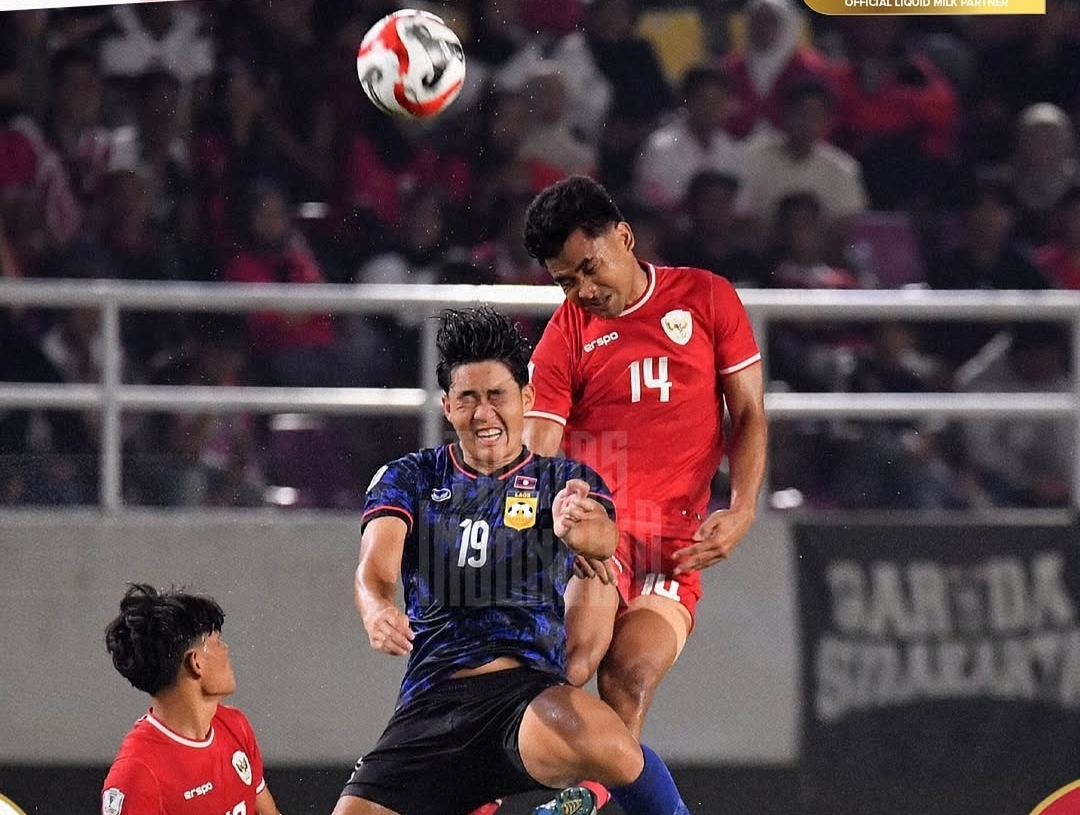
<point x="773" y="59"/>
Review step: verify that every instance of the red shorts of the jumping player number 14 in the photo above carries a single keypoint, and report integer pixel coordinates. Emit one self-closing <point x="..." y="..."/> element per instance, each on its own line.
<point x="647" y="568"/>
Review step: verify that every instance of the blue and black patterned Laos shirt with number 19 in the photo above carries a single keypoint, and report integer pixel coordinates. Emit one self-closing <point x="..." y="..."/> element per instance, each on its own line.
<point x="483" y="570"/>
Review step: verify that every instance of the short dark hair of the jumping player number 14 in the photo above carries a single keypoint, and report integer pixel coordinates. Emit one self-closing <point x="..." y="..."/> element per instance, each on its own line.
<point x="558" y="212"/>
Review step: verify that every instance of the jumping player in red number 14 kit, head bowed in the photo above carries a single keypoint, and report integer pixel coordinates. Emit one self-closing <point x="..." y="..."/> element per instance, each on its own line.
<point x="632" y="376"/>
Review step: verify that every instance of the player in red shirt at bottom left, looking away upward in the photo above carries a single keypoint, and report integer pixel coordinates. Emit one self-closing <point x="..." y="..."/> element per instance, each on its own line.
<point x="190" y="754"/>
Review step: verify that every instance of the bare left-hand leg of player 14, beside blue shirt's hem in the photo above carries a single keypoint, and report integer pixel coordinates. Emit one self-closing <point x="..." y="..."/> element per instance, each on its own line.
<point x="591" y="608"/>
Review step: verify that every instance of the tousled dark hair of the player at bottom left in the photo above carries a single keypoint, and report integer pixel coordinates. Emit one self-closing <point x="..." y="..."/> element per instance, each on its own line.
<point x="155" y="630"/>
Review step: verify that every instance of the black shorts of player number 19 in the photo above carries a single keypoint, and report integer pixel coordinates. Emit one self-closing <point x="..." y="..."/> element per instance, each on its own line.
<point x="454" y="748"/>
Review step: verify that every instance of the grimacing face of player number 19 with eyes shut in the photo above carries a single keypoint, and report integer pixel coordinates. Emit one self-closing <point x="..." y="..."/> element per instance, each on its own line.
<point x="488" y="410"/>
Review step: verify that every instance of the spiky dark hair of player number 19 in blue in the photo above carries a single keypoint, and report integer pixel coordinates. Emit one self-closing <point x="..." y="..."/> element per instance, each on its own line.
<point x="477" y="336"/>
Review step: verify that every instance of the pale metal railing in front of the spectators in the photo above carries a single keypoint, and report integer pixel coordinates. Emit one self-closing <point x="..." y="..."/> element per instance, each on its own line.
<point x="113" y="399"/>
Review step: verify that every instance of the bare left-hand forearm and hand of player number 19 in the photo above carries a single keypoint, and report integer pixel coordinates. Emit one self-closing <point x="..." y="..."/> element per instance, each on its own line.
<point x="376" y="585"/>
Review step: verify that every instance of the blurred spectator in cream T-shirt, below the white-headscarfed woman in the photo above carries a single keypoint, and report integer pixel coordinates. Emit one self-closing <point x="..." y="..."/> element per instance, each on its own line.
<point x="800" y="160"/>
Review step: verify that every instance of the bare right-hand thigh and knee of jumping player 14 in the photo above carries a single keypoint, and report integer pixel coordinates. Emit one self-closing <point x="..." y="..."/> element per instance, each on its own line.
<point x="647" y="641"/>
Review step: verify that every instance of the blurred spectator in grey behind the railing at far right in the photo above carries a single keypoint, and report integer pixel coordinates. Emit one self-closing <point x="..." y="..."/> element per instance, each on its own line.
<point x="1020" y="461"/>
